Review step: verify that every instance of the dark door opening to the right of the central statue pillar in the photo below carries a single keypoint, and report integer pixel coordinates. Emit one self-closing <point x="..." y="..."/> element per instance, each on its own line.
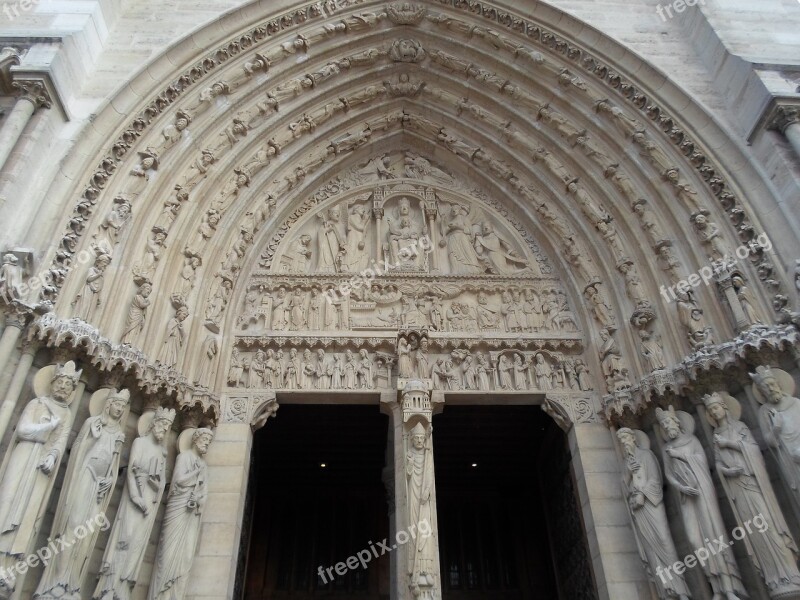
<point x="509" y="525"/>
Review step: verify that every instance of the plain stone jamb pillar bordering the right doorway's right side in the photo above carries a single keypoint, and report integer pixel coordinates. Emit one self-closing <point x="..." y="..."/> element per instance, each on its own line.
<point x="617" y="568"/>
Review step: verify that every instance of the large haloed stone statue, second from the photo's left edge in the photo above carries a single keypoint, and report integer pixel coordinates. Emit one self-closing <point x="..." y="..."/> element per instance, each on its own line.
<point x="88" y="483"/>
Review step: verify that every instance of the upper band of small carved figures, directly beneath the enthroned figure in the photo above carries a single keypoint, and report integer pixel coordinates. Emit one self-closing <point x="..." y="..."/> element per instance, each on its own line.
<point x="511" y="311"/>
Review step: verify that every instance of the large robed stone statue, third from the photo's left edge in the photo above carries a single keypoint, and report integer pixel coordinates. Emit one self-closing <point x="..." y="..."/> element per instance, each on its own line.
<point x="144" y="486"/>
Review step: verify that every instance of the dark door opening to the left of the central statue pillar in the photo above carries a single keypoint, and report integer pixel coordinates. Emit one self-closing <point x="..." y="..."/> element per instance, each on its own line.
<point x="305" y="515"/>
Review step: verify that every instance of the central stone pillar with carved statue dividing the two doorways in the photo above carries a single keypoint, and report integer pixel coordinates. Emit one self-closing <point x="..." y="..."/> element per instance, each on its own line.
<point x="416" y="560"/>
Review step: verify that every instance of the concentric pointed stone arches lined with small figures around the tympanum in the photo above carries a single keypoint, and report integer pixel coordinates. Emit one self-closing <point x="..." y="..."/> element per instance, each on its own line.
<point x="304" y="96"/>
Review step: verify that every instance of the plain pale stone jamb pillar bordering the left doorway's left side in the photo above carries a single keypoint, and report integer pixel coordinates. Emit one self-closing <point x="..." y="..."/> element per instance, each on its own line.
<point x="213" y="573"/>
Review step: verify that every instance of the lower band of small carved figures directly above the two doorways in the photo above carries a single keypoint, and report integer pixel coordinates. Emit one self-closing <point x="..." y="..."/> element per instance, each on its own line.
<point x="460" y="370"/>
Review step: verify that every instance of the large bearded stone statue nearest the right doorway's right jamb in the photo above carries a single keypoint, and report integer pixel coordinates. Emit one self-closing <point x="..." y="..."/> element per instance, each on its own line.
<point x="644" y="492"/>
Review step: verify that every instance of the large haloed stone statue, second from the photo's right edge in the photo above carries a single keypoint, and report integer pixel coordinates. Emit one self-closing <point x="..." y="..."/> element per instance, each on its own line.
<point x="746" y="483"/>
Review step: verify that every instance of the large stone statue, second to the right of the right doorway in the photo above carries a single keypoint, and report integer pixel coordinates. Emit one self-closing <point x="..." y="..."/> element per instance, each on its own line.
<point x="686" y="470"/>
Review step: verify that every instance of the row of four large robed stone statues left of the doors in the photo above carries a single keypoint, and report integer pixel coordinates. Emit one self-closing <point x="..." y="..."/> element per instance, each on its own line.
<point x="28" y="473"/>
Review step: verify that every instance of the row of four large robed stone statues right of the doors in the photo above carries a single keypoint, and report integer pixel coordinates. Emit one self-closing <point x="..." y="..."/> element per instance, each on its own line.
<point x="745" y="482"/>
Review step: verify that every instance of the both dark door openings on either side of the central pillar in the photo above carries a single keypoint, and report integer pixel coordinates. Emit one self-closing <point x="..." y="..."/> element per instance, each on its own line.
<point x="508" y="519"/>
